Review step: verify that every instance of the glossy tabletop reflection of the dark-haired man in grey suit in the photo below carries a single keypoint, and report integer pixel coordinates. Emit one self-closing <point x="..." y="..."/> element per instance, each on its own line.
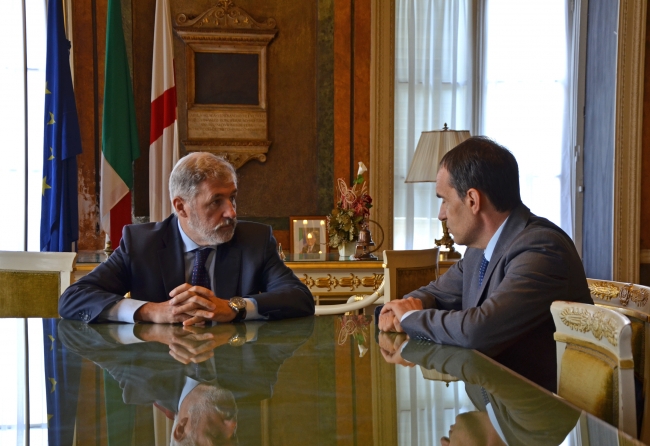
<point x="510" y="411"/>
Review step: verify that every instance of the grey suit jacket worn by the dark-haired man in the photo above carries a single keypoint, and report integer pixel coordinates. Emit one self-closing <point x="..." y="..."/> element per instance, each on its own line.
<point x="508" y="317"/>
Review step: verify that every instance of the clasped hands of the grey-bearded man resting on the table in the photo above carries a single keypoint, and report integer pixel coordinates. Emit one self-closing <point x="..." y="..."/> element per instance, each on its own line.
<point x="189" y="304"/>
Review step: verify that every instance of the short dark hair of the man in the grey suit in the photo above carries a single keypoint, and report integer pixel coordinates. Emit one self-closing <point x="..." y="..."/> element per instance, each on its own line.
<point x="482" y="164"/>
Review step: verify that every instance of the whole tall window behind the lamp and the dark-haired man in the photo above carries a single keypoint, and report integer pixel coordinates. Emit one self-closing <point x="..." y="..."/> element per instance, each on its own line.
<point x="521" y="56"/>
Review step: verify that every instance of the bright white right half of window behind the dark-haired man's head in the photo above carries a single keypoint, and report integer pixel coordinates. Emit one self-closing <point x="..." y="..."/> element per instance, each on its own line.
<point x="526" y="99"/>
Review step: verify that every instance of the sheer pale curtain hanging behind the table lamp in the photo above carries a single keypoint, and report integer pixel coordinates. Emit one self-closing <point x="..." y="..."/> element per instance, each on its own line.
<point x="432" y="87"/>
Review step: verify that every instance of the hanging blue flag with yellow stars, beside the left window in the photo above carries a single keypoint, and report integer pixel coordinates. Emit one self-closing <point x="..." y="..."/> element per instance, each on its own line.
<point x="59" y="211"/>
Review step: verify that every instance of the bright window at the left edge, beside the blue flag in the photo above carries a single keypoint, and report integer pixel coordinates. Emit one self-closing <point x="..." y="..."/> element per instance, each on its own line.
<point x="21" y="138"/>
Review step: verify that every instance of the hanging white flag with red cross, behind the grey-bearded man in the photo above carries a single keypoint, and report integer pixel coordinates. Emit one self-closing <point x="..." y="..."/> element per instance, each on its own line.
<point x="163" y="150"/>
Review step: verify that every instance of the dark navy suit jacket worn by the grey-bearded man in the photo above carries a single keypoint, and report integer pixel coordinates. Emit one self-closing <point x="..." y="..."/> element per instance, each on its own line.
<point x="150" y="263"/>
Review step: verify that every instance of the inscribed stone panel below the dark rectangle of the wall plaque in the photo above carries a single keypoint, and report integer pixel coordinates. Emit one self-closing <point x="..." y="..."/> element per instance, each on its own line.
<point x="227" y="124"/>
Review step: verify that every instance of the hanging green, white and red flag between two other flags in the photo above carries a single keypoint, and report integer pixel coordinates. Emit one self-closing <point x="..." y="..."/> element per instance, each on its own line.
<point x="119" y="131"/>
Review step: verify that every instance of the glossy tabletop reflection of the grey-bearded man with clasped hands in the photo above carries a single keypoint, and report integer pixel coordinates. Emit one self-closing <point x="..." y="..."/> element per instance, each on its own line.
<point x="209" y="380"/>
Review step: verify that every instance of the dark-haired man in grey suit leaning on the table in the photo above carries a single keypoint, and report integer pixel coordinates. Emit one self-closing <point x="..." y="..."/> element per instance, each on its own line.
<point x="496" y="299"/>
